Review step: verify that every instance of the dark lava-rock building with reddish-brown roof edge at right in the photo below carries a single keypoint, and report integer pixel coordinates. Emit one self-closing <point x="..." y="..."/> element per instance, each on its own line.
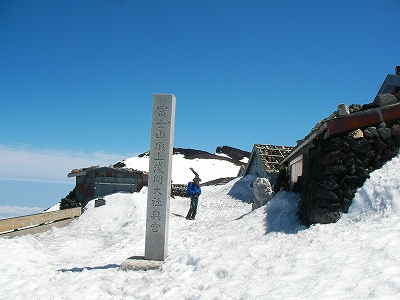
<point x="337" y="156"/>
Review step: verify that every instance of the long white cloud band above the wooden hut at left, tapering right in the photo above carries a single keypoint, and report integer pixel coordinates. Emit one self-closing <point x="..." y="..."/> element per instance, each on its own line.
<point x="48" y="165"/>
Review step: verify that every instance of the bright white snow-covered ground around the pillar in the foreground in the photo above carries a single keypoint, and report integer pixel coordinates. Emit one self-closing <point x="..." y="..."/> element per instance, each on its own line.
<point x="228" y="252"/>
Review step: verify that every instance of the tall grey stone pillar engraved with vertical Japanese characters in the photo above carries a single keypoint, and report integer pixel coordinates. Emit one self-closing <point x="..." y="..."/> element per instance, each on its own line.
<point x="160" y="167"/>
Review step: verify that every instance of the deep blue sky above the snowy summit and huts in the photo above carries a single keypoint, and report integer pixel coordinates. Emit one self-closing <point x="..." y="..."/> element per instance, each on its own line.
<point x="77" y="78"/>
